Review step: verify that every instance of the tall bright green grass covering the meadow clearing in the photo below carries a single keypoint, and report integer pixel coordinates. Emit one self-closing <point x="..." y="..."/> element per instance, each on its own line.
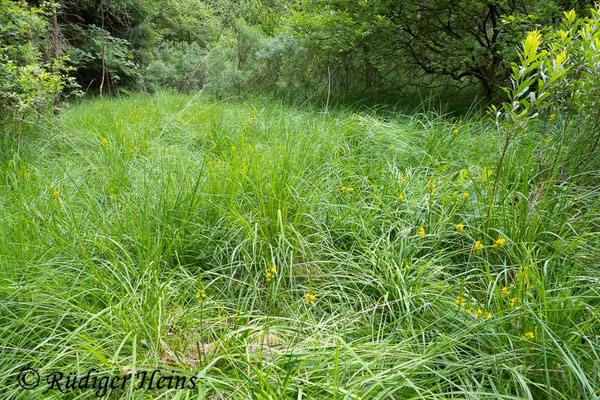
<point x="115" y="216"/>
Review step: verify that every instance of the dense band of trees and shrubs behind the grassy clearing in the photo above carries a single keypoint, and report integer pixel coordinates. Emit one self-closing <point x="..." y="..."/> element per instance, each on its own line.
<point x="302" y="49"/>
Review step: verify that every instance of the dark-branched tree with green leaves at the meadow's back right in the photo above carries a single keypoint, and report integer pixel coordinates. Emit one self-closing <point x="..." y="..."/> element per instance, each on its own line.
<point x="467" y="38"/>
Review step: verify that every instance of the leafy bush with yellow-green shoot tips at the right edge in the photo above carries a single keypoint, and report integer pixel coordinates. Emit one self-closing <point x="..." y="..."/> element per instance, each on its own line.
<point x="558" y="74"/>
